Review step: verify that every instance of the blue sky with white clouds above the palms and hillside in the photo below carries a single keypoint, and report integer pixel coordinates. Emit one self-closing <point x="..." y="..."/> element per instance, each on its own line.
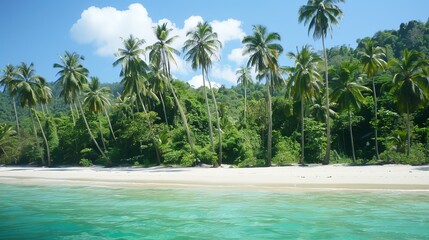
<point x="40" y="31"/>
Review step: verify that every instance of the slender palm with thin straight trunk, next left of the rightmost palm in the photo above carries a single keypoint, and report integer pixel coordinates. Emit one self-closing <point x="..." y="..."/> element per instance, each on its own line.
<point x="372" y="59"/>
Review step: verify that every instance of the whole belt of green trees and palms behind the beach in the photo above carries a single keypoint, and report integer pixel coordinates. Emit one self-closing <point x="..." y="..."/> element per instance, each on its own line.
<point x="377" y="96"/>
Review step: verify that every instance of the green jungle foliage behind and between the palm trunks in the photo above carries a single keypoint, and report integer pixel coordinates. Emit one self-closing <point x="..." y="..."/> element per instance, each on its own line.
<point x="142" y="124"/>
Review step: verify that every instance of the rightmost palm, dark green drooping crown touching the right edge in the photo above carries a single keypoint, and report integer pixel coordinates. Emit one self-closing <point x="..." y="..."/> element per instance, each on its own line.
<point x="410" y="85"/>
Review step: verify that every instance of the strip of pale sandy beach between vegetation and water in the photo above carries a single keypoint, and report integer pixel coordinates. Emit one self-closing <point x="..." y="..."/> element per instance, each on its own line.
<point x="291" y="178"/>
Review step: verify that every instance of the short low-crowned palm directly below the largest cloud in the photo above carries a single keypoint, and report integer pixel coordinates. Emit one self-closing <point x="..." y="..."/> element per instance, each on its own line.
<point x="96" y="99"/>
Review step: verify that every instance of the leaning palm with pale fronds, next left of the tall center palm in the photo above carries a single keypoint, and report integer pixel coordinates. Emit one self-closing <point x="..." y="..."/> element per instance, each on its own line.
<point x="161" y="55"/>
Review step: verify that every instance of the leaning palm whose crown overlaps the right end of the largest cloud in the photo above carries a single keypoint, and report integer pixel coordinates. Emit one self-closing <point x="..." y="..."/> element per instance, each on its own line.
<point x="134" y="73"/>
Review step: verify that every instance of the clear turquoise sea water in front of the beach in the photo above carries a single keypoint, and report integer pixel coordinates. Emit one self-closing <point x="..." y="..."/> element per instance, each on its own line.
<point x="64" y="212"/>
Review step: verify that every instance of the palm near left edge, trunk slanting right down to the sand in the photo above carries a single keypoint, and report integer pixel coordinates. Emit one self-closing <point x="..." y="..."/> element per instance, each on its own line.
<point x="28" y="87"/>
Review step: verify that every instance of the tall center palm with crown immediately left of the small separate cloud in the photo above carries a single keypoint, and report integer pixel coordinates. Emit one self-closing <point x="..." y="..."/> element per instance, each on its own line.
<point x="200" y="48"/>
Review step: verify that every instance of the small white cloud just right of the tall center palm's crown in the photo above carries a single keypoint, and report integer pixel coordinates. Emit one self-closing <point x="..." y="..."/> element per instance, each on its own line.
<point x="228" y="30"/>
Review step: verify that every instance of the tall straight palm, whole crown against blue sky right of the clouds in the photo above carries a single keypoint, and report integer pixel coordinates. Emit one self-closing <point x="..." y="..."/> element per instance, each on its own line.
<point x="264" y="58"/>
